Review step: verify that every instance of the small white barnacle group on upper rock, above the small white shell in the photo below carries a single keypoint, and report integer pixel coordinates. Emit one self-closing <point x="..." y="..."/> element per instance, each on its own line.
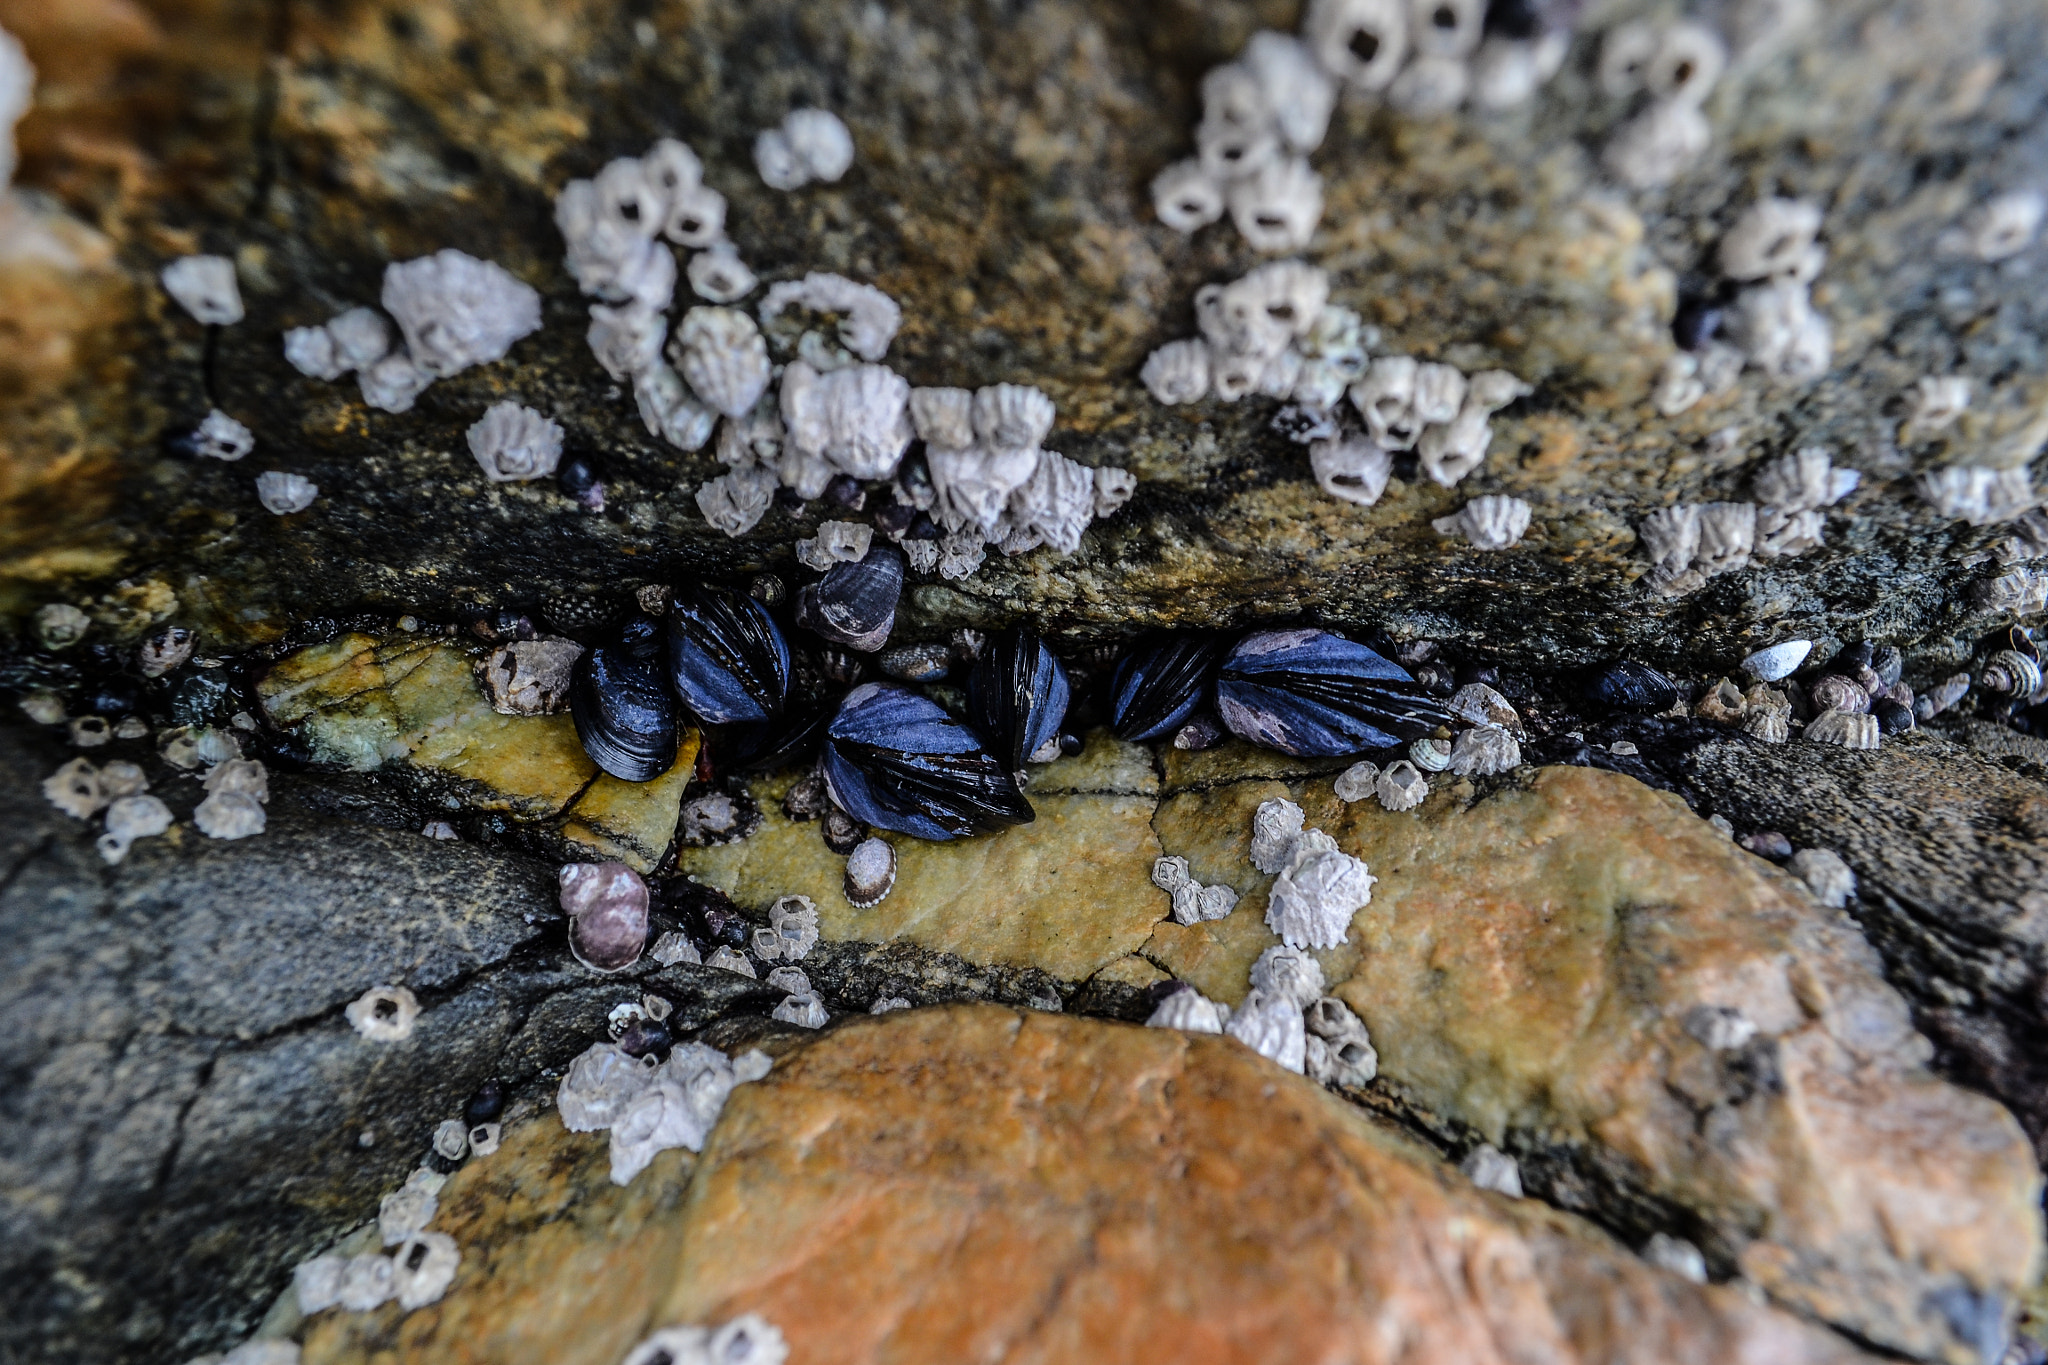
<point x="1693" y="543"/>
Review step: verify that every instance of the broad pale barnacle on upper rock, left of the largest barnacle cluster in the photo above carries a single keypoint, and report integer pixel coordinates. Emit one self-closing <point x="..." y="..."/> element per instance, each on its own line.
<point x="458" y="310"/>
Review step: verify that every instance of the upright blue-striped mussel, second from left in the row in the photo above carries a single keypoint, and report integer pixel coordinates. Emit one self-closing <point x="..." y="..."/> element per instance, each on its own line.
<point x="726" y="656"/>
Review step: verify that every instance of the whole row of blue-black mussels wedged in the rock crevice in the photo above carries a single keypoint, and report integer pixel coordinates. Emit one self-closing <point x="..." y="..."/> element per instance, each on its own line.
<point x="894" y="758"/>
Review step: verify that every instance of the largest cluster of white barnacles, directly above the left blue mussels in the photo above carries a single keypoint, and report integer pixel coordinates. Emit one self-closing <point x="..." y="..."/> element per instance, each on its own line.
<point x="833" y="416"/>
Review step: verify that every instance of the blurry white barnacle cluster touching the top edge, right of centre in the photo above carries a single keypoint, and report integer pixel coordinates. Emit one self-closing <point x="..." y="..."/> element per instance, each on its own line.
<point x="1269" y="109"/>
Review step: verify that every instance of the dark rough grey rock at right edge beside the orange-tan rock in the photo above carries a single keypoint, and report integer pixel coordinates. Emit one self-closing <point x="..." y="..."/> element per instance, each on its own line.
<point x="1953" y="887"/>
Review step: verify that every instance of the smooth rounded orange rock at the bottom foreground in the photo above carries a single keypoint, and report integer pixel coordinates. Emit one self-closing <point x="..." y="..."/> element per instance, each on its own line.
<point x="976" y="1184"/>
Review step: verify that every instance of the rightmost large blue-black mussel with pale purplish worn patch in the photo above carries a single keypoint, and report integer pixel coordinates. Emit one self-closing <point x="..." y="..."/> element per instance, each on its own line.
<point x="1320" y="695"/>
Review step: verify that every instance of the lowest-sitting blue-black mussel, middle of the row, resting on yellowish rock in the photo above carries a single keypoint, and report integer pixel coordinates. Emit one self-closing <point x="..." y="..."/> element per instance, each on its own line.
<point x="898" y="762"/>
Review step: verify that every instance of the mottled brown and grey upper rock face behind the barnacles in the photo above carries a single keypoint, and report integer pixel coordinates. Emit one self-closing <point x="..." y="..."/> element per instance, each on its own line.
<point x="998" y="193"/>
